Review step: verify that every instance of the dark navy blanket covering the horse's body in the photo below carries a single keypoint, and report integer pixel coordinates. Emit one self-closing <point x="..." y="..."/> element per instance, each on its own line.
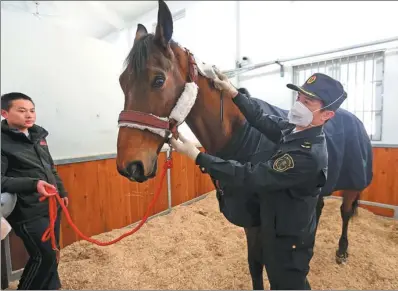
<point x="349" y="155"/>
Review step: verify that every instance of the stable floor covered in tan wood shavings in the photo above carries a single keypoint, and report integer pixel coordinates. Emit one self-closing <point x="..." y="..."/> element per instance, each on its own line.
<point x="195" y="247"/>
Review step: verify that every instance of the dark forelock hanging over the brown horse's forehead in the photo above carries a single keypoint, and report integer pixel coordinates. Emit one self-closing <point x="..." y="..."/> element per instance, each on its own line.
<point x="139" y="54"/>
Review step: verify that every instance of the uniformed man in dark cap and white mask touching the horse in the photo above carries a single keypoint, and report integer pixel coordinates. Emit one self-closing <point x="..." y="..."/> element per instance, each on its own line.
<point x="290" y="181"/>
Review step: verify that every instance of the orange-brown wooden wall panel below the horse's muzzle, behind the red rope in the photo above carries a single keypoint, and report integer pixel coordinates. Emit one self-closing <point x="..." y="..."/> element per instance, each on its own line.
<point x="101" y="200"/>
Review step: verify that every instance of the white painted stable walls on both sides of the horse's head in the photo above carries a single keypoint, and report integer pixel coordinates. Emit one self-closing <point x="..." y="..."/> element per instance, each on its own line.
<point x="74" y="80"/>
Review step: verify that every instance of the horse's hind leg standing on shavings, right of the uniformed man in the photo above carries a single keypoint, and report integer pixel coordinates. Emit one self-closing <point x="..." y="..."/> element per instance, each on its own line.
<point x="348" y="209"/>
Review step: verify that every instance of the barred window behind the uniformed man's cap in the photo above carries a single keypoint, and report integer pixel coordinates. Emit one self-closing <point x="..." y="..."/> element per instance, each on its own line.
<point x="362" y="78"/>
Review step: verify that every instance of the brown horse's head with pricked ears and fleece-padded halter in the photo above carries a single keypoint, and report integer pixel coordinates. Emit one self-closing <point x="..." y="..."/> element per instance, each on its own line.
<point x="163" y="86"/>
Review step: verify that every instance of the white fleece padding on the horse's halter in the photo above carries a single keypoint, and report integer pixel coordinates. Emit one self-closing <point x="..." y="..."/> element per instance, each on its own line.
<point x="179" y="112"/>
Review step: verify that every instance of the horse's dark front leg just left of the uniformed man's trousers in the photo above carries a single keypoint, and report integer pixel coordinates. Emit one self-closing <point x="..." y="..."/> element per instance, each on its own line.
<point x="254" y="256"/>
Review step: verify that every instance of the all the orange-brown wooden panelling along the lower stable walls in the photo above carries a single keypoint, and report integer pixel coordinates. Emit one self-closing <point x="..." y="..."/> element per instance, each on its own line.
<point x="102" y="200"/>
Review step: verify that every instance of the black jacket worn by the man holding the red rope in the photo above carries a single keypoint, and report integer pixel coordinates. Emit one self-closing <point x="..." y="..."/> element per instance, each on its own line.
<point x="25" y="161"/>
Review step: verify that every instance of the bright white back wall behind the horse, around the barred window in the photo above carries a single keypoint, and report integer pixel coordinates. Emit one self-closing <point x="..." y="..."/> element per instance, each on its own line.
<point x="271" y="30"/>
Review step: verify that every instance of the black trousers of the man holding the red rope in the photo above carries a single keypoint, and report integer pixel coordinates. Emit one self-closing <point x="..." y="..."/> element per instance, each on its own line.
<point x="41" y="270"/>
